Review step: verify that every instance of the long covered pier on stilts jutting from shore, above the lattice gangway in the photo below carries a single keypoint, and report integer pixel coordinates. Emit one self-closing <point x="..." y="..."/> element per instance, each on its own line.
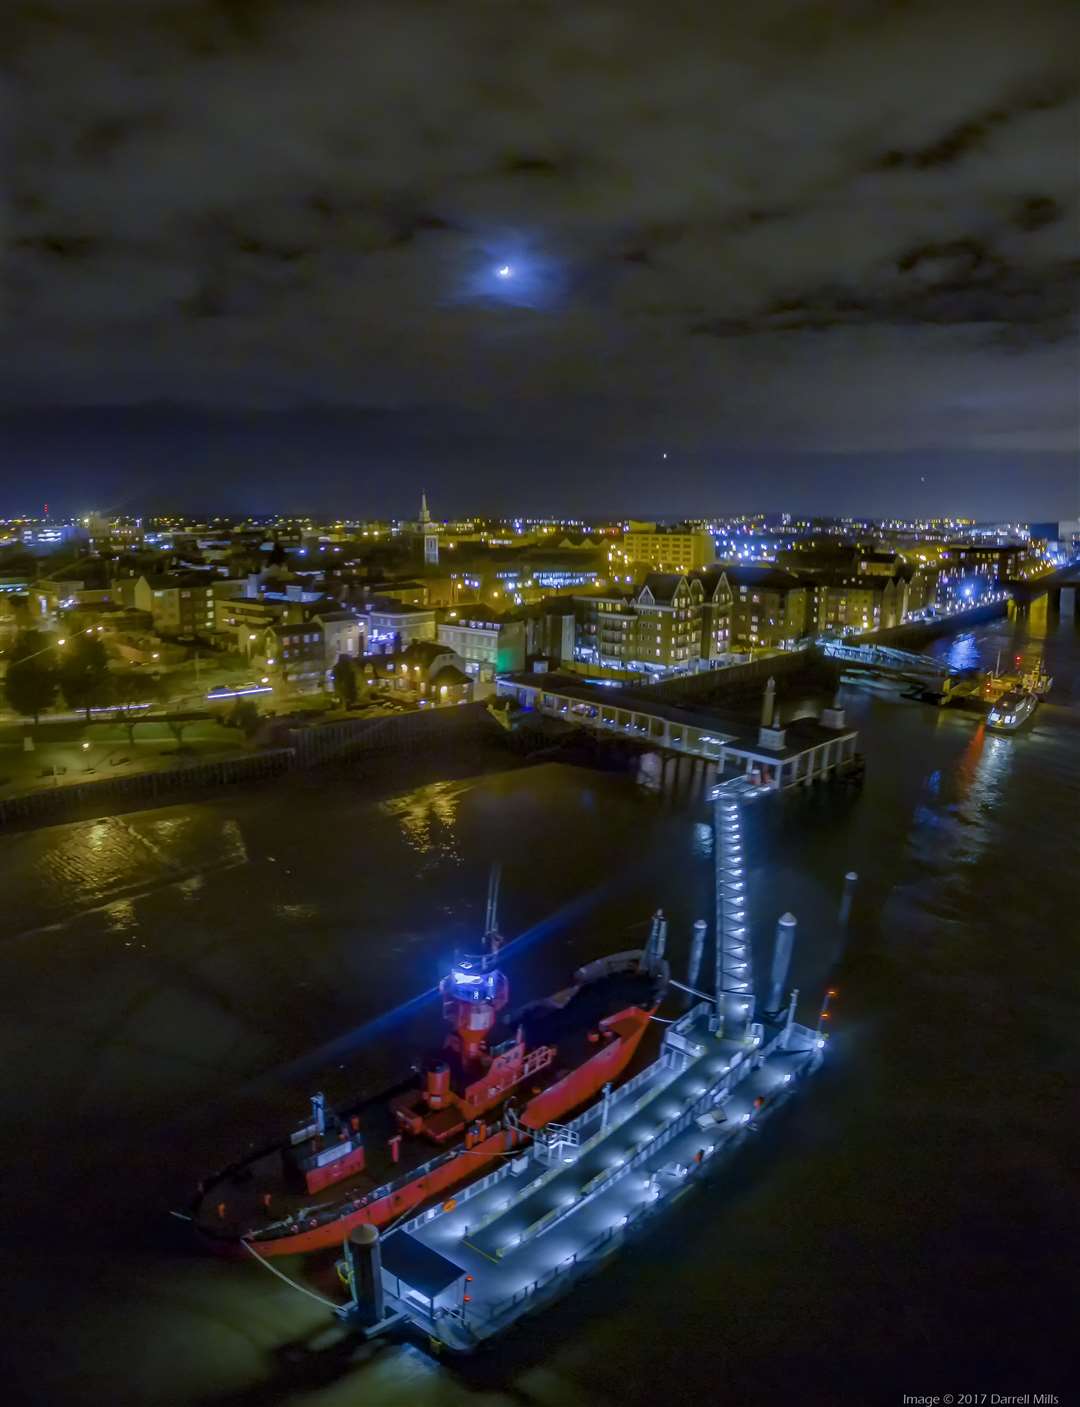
<point x="788" y="756"/>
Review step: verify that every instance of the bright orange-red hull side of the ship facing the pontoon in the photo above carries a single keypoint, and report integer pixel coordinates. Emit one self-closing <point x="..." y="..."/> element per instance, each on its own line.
<point x="574" y="1090"/>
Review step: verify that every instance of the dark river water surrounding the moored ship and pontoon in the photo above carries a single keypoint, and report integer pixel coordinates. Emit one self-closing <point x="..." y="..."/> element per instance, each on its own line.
<point x="175" y="983"/>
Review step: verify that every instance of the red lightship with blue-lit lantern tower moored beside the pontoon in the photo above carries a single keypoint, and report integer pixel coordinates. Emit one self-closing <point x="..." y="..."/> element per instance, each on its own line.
<point x="497" y="1077"/>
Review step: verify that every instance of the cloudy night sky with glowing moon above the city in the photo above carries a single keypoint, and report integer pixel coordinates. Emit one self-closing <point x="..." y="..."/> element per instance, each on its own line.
<point x="316" y="255"/>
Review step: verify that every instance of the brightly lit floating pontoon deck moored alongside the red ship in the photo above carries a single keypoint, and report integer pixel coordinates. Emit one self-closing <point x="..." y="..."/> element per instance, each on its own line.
<point x="524" y="1236"/>
